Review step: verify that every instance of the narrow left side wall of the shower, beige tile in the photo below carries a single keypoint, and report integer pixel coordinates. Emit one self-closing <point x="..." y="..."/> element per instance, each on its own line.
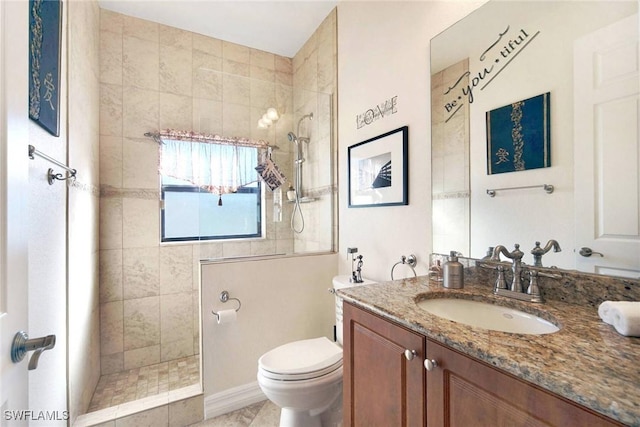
<point x="83" y="204"/>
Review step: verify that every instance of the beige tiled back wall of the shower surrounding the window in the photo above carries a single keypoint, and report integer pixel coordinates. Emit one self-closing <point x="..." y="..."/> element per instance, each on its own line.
<point x="155" y="77"/>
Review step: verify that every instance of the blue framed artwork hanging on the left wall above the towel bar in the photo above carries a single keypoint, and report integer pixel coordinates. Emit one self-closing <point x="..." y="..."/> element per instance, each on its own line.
<point x="45" y="29"/>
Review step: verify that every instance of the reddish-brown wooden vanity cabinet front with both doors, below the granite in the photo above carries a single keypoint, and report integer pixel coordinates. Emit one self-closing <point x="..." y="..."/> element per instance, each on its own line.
<point x="383" y="388"/>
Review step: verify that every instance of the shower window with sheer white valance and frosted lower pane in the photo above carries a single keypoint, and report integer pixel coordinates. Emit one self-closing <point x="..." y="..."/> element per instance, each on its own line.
<point x="209" y="192"/>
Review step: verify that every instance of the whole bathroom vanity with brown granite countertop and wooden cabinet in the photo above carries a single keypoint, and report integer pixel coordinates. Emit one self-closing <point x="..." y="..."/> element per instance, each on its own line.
<point x="405" y="366"/>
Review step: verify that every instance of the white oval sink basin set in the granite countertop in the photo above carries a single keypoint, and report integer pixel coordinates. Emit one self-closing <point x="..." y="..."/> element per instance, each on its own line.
<point x="487" y="316"/>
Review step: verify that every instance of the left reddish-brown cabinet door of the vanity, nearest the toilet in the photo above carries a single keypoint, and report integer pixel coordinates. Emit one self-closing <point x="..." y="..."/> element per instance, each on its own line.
<point x="382" y="387"/>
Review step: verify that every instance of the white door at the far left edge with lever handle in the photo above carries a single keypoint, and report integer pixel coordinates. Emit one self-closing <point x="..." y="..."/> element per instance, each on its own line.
<point x="13" y="180"/>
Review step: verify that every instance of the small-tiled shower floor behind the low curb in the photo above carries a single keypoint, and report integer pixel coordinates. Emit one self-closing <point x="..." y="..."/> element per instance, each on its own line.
<point x="133" y="384"/>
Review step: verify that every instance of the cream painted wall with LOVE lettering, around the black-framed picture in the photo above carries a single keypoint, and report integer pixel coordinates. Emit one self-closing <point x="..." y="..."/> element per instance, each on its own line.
<point x="383" y="51"/>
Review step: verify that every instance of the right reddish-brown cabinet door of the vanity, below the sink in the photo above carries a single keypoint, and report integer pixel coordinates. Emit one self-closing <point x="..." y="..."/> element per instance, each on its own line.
<point x="464" y="392"/>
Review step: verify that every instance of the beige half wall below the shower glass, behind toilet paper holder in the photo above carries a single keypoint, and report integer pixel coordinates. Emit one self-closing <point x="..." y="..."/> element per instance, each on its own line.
<point x="283" y="300"/>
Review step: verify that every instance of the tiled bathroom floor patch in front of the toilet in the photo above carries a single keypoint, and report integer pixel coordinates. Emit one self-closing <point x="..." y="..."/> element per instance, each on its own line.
<point x="261" y="414"/>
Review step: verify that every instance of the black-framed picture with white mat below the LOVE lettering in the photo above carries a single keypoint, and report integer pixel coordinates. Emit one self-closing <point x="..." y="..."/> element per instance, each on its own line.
<point x="378" y="170"/>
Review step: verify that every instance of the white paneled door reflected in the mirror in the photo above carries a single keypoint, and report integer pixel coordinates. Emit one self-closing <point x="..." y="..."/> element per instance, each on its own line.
<point x="607" y="149"/>
